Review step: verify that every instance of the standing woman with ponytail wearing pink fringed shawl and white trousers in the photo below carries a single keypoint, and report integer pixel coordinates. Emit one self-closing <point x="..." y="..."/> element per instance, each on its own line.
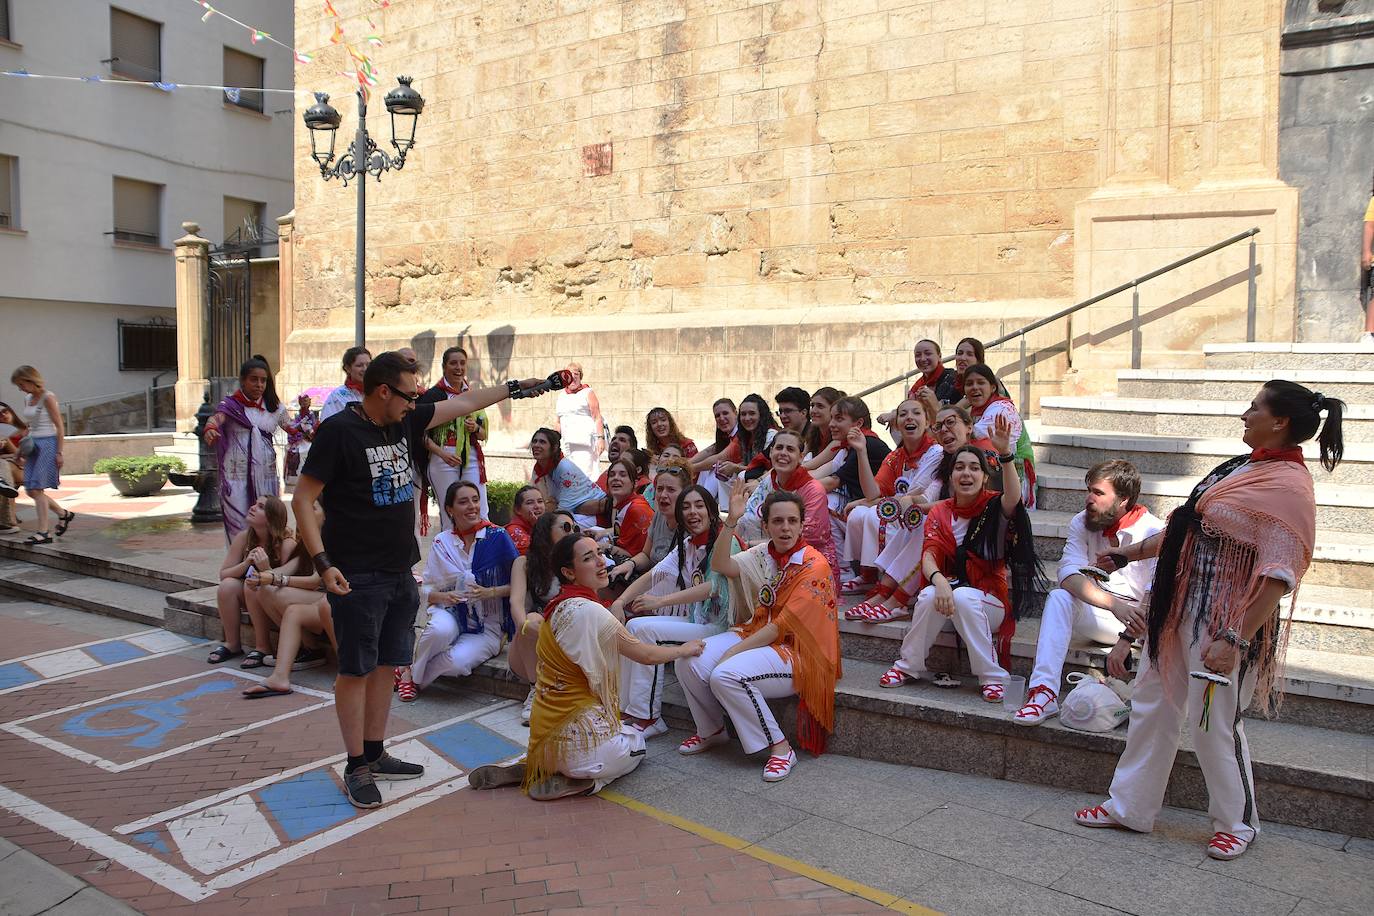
<point x="1243" y="540"/>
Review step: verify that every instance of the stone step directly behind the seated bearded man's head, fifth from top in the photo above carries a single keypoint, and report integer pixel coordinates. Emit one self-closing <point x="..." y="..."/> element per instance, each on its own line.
<point x="1339" y="507"/>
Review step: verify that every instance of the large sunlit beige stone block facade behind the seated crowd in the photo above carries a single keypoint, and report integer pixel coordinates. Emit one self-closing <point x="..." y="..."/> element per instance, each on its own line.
<point x="593" y="175"/>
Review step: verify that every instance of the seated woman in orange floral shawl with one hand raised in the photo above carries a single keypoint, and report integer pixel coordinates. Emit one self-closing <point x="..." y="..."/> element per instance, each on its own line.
<point x="789" y="648"/>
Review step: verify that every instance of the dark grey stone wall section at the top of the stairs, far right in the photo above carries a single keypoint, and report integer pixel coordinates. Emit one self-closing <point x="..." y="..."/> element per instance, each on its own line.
<point x="1327" y="152"/>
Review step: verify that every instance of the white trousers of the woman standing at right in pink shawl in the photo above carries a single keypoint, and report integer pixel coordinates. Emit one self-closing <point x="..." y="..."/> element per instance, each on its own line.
<point x="1159" y="704"/>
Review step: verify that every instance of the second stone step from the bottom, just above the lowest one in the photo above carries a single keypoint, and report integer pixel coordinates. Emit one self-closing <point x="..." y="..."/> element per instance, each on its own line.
<point x="1328" y="690"/>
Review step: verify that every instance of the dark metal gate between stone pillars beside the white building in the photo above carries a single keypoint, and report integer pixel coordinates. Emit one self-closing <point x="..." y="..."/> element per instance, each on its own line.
<point x="230" y="328"/>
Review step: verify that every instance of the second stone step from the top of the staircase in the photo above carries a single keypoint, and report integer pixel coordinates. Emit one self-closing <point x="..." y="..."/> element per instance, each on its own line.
<point x="1353" y="387"/>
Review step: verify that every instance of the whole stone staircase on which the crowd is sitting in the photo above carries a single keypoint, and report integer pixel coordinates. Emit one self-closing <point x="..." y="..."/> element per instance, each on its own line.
<point x="1311" y="763"/>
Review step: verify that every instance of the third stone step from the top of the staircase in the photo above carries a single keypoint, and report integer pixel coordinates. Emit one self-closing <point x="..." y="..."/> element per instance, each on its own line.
<point x="1166" y="417"/>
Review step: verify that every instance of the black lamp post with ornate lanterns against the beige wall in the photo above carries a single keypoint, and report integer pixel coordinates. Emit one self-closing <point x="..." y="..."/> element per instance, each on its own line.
<point x="362" y="160"/>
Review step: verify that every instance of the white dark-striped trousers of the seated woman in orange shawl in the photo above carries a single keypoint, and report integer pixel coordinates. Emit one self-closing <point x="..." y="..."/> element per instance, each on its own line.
<point x="741" y="687"/>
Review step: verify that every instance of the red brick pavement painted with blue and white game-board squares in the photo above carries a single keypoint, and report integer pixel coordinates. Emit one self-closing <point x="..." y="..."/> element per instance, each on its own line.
<point x="188" y="799"/>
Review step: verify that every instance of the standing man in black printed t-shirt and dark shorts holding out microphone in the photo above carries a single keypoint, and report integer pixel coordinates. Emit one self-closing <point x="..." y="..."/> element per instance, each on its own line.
<point x="361" y="472"/>
